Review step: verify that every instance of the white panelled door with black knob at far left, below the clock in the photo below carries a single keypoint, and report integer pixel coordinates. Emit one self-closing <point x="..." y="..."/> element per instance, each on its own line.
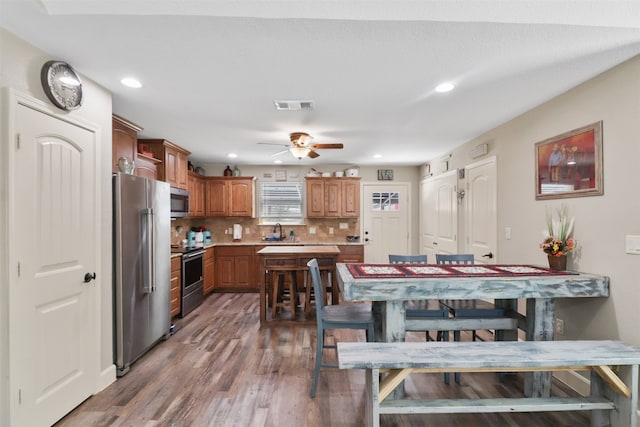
<point x="53" y="313"/>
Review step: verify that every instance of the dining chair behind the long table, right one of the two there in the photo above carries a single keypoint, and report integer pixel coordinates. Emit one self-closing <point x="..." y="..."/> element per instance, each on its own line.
<point x="469" y="308"/>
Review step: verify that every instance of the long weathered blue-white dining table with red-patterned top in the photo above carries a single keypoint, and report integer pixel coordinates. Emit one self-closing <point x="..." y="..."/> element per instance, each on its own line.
<point x="389" y="286"/>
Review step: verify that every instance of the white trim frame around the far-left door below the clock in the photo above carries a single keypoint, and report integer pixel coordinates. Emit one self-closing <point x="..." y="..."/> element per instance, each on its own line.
<point x="10" y="99"/>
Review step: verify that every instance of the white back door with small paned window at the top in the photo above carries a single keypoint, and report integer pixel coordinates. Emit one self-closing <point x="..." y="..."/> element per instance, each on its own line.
<point x="385" y="221"/>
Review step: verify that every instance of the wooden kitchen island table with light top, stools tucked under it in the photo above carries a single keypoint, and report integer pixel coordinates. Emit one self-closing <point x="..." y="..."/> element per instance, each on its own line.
<point x="292" y="259"/>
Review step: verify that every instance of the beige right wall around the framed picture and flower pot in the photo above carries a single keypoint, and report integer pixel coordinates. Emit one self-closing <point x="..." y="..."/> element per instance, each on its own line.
<point x="601" y="221"/>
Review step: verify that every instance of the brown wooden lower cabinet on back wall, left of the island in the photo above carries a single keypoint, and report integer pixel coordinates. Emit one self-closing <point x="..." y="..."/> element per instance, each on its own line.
<point x="235" y="269"/>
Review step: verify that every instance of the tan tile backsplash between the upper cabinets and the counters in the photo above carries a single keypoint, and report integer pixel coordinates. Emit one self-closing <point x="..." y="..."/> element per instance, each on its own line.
<point x="221" y="229"/>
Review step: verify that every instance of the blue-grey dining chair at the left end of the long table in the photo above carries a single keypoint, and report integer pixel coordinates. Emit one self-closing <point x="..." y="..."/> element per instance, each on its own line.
<point x="342" y="316"/>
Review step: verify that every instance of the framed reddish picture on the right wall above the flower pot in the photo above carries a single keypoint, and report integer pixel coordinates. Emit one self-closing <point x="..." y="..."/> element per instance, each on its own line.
<point x="570" y="164"/>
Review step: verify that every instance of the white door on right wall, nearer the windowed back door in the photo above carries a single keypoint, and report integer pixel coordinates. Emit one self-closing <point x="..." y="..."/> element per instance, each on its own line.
<point x="439" y="215"/>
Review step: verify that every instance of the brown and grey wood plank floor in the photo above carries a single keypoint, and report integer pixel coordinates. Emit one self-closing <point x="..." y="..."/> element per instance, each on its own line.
<point x="221" y="369"/>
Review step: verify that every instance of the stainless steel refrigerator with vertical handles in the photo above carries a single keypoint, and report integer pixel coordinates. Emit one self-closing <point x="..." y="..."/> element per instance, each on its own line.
<point x="142" y="266"/>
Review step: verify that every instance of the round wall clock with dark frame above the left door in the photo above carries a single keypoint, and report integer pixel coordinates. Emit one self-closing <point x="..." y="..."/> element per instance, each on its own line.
<point x="61" y="84"/>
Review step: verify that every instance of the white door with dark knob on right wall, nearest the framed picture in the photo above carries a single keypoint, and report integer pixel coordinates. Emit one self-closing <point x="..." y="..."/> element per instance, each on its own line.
<point x="481" y="211"/>
